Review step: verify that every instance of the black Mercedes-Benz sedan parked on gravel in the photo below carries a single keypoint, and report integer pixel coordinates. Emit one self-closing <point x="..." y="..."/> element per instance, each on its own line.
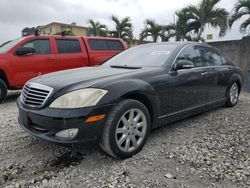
<point x="119" y="102"/>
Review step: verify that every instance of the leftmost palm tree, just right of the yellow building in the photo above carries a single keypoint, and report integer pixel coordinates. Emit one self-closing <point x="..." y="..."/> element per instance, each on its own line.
<point x="97" y="29"/>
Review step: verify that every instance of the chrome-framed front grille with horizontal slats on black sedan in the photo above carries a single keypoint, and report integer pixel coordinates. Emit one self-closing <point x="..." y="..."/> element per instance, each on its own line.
<point x="35" y="95"/>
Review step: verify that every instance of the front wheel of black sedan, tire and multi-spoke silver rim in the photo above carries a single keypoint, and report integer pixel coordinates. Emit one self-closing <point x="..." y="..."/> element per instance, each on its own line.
<point x="126" y="130"/>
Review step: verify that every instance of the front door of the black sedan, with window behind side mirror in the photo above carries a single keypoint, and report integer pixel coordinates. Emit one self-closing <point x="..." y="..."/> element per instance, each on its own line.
<point x="187" y="88"/>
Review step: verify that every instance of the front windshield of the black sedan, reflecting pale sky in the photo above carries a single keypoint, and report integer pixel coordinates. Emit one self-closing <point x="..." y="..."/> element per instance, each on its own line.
<point x="154" y="55"/>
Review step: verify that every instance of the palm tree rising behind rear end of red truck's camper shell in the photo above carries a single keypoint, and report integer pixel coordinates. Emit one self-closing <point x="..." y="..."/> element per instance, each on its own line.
<point x="123" y="28"/>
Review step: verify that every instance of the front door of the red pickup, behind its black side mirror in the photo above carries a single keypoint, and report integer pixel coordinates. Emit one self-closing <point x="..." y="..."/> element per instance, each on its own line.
<point x="29" y="66"/>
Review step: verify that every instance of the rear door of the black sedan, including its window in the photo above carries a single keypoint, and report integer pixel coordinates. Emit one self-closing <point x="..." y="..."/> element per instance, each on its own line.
<point x="219" y="71"/>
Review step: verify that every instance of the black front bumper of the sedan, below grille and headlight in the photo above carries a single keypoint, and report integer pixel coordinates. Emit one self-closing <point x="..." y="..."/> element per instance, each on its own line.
<point x="45" y="123"/>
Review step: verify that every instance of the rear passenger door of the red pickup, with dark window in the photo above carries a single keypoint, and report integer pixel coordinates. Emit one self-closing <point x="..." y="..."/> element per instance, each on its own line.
<point x="71" y="53"/>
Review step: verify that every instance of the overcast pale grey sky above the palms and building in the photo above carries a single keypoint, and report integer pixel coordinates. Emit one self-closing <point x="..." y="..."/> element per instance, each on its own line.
<point x="17" y="14"/>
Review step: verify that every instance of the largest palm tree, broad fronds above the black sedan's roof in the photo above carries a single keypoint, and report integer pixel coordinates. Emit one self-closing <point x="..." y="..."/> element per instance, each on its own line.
<point x="206" y="13"/>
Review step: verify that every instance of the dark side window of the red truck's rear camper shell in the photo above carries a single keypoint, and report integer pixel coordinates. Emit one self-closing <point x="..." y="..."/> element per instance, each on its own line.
<point x="98" y="44"/>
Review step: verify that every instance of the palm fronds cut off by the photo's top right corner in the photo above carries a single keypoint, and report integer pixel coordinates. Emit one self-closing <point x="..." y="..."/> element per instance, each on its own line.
<point x="242" y="8"/>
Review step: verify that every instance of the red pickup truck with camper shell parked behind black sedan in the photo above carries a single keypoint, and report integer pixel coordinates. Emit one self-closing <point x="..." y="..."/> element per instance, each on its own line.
<point x="25" y="58"/>
